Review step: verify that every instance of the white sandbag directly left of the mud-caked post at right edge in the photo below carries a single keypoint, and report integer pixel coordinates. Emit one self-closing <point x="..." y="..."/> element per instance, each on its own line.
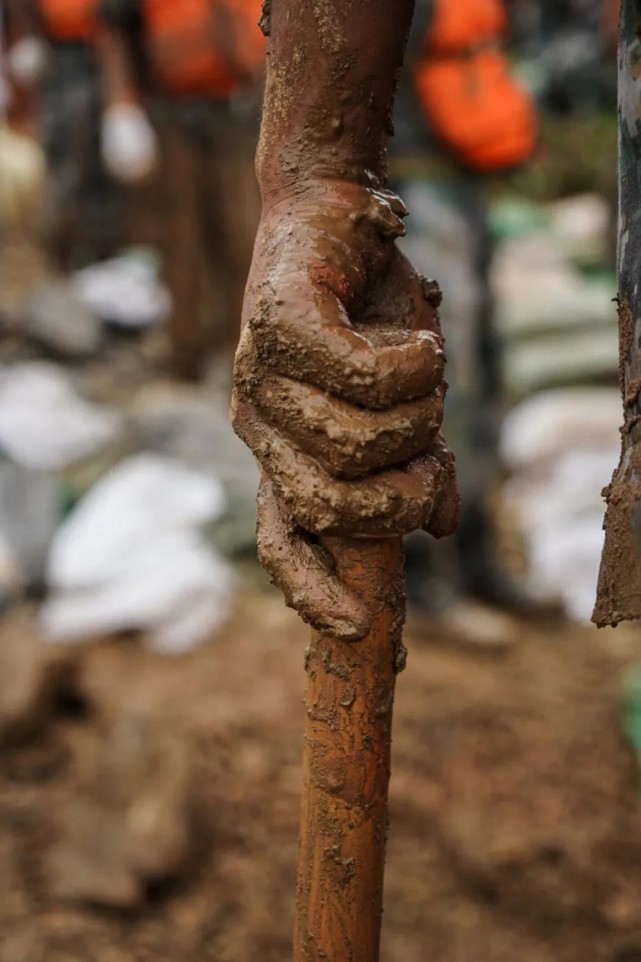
<point x="562" y="447"/>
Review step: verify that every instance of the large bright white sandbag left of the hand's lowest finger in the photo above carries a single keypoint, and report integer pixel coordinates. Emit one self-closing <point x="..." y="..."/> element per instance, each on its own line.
<point x="131" y="557"/>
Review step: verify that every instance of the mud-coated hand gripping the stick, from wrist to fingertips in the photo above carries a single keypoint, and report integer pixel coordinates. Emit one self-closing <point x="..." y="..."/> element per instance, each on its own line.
<point x="339" y="392"/>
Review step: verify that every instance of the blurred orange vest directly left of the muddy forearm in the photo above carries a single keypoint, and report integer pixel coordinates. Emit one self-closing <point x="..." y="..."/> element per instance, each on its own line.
<point x="204" y="47"/>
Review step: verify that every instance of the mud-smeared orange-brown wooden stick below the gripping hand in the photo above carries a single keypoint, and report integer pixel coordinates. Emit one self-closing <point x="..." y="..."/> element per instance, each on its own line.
<point x="350" y="694"/>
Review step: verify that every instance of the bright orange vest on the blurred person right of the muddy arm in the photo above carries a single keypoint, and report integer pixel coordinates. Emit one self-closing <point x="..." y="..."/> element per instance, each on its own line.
<point x="463" y="82"/>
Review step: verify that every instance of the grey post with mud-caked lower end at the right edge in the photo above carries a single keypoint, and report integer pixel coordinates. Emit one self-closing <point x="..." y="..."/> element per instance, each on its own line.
<point x="619" y="588"/>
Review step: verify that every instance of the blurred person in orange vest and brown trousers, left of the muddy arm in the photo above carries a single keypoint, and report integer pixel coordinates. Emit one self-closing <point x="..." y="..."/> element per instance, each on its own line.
<point x="198" y="81"/>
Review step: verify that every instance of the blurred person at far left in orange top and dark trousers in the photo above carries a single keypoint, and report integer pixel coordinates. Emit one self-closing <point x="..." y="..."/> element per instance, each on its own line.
<point x="53" y="51"/>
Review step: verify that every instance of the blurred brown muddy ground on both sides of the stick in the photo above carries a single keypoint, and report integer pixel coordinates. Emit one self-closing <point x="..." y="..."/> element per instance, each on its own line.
<point x="148" y="807"/>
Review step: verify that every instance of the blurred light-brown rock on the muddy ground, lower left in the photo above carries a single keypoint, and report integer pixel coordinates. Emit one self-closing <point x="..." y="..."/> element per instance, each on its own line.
<point x="130" y="822"/>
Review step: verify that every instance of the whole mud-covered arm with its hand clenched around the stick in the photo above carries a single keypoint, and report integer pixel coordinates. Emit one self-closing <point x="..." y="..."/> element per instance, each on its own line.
<point x="339" y="372"/>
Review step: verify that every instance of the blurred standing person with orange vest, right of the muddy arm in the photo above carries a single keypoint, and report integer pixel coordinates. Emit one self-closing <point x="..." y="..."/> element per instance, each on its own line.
<point x="460" y="120"/>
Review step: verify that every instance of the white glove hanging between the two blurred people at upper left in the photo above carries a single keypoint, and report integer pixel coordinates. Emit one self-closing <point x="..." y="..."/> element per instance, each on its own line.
<point x="129" y="143"/>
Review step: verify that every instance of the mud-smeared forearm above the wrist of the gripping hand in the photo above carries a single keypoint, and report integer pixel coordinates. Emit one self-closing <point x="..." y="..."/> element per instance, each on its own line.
<point x="332" y="72"/>
